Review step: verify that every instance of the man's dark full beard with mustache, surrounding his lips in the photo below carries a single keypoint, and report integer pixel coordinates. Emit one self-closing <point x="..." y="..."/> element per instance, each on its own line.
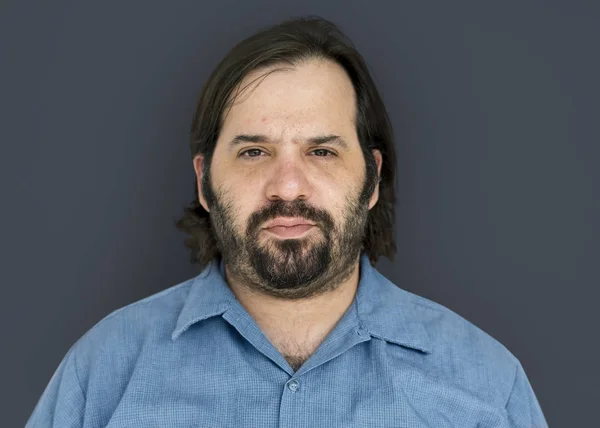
<point x="292" y="268"/>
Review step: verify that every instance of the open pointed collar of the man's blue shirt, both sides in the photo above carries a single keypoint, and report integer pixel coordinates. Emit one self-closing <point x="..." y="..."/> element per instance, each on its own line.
<point x="384" y="310"/>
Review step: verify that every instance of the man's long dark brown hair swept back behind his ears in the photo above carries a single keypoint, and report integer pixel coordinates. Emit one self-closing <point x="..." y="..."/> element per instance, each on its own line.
<point x="291" y="42"/>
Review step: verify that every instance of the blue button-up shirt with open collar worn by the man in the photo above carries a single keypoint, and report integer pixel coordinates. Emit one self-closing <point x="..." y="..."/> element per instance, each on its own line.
<point x="191" y="356"/>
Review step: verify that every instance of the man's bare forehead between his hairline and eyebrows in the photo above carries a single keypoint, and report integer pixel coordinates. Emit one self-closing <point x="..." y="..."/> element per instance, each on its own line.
<point x="314" y="96"/>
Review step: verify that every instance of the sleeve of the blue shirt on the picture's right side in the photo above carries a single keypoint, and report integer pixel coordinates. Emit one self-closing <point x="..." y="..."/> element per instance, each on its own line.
<point x="522" y="408"/>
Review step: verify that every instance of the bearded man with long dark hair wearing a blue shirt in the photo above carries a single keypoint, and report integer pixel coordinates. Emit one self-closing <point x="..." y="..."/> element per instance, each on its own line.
<point x="289" y="324"/>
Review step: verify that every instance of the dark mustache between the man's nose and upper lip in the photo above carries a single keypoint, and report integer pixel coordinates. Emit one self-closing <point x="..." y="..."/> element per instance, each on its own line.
<point x="282" y="208"/>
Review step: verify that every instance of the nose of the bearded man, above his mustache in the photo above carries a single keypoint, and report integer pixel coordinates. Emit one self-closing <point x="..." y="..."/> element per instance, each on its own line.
<point x="288" y="181"/>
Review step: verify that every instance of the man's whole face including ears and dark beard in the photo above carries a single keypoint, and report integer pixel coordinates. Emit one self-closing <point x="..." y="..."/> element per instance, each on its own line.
<point x="288" y="191"/>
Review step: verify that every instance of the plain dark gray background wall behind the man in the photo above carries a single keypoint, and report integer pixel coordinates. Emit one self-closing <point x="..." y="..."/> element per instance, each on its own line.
<point x="495" y="108"/>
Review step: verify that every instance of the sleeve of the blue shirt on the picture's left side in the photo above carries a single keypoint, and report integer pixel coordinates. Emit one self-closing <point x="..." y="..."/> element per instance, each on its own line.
<point x="62" y="403"/>
